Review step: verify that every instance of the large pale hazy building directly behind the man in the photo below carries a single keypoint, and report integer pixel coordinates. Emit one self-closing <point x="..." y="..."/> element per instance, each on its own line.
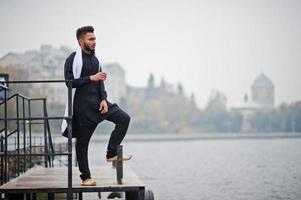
<point x="48" y="63"/>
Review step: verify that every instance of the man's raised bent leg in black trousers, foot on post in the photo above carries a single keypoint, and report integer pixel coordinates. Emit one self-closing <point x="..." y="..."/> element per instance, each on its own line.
<point x="121" y="120"/>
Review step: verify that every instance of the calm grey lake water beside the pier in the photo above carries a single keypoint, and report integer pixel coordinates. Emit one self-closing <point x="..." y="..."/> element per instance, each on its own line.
<point x="215" y="169"/>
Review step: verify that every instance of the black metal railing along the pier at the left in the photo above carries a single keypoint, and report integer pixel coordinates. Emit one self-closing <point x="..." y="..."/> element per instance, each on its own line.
<point x="49" y="152"/>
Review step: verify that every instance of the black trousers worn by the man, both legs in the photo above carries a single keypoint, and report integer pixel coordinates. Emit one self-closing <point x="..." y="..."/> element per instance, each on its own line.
<point x="121" y="120"/>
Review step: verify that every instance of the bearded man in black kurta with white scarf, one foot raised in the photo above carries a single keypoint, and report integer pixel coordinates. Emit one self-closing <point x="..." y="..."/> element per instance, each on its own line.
<point x="90" y="104"/>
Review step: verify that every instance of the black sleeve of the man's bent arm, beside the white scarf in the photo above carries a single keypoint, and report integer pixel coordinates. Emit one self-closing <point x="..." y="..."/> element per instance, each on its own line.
<point x="69" y="73"/>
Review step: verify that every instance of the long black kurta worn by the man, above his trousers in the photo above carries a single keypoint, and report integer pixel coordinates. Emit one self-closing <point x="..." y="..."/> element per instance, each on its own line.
<point x="88" y="93"/>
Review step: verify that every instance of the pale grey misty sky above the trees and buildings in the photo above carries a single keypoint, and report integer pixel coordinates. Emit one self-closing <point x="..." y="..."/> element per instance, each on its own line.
<point x="216" y="44"/>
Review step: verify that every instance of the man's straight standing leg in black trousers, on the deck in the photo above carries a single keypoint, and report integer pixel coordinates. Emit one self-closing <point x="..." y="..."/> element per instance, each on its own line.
<point x="82" y="143"/>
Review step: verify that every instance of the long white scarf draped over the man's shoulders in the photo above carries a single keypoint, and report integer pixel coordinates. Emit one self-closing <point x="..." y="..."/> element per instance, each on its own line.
<point x="76" y="69"/>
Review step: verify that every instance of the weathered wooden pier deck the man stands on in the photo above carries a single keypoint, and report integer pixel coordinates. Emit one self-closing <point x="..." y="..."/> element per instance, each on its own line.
<point x="55" y="180"/>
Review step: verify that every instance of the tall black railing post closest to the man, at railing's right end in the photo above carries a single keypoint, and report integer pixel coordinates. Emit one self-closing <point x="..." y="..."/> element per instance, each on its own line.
<point x="69" y="126"/>
